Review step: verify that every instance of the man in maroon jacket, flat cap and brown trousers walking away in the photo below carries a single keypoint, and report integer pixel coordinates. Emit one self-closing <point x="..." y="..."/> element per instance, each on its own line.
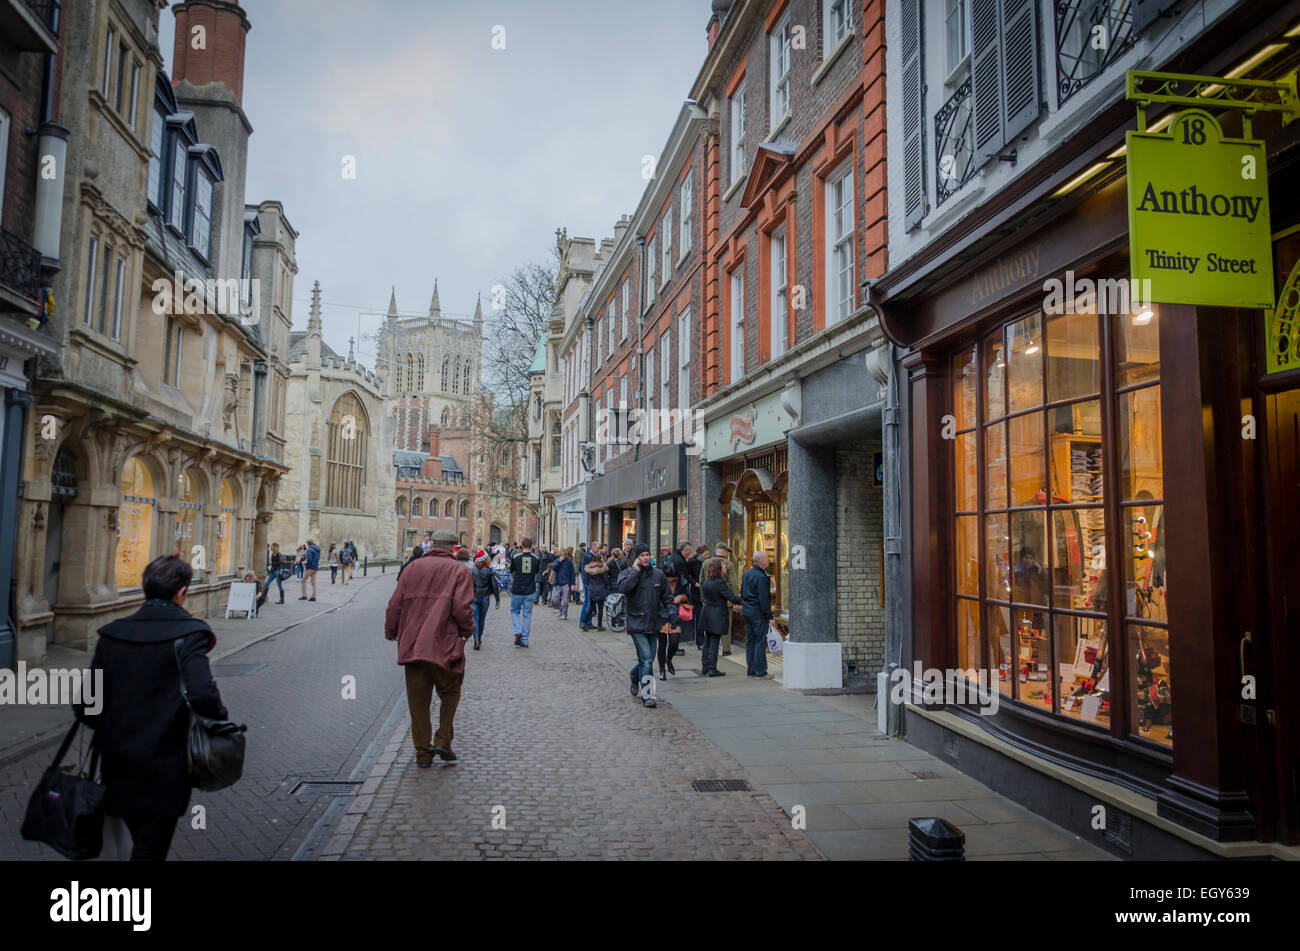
<point x="431" y="616"/>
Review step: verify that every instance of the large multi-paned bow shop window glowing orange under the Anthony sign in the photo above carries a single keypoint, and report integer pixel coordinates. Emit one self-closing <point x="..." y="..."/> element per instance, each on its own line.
<point x="1032" y="514"/>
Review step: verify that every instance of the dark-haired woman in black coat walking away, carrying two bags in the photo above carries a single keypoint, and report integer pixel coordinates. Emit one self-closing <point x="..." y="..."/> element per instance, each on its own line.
<point x="142" y="729"/>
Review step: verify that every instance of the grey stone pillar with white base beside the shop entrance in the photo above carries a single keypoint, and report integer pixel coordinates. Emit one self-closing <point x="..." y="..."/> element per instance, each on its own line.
<point x="813" y="655"/>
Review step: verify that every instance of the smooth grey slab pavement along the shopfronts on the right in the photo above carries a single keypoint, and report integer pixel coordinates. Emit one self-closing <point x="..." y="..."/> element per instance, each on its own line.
<point x="857" y="788"/>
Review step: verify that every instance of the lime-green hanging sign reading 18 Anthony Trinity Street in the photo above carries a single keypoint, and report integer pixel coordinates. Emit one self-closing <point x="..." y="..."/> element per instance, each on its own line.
<point x="1199" y="215"/>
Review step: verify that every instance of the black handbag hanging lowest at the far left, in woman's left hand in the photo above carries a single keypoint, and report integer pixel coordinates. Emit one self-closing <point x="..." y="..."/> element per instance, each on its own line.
<point x="67" y="810"/>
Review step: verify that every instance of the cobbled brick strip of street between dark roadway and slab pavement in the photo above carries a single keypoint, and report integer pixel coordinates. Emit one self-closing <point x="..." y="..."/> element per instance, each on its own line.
<point x="554" y="749"/>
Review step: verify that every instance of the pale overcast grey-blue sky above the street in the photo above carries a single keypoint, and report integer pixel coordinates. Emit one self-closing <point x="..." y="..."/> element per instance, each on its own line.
<point x="467" y="158"/>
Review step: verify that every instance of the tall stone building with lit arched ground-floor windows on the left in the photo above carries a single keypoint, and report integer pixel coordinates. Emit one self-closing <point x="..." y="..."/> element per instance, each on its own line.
<point x="145" y="438"/>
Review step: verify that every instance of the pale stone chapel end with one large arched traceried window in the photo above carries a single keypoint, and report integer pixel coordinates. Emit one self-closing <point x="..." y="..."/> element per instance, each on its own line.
<point x="339" y="442"/>
